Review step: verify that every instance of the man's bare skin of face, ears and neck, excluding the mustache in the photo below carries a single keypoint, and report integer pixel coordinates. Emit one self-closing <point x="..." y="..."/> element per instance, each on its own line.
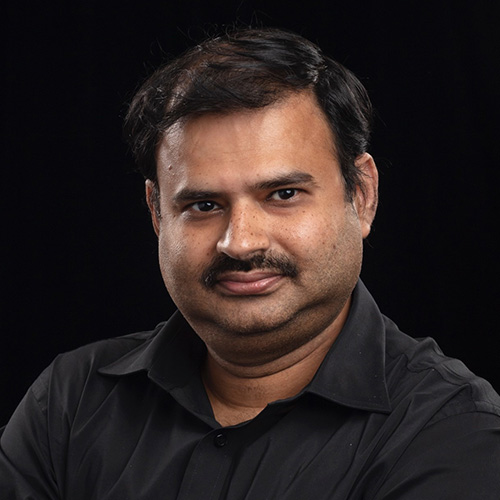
<point x="260" y="183"/>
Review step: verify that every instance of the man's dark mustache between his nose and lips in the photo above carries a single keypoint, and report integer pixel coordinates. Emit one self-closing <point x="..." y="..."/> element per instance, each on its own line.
<point x="223" y="263"/>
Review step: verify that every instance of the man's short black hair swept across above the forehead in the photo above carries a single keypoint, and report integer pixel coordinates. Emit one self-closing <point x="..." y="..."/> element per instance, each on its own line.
<point x="250" y="69"/>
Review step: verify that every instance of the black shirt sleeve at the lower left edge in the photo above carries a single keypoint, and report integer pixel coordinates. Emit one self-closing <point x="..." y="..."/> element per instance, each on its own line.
<point x="26" y="471"/>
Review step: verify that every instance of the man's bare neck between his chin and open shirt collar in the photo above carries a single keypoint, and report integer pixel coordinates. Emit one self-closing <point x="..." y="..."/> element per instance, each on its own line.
<point x="239" y="393"/>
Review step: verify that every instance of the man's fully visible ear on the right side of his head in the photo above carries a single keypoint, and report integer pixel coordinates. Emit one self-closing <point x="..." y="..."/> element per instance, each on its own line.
<point x="366" y="197"/>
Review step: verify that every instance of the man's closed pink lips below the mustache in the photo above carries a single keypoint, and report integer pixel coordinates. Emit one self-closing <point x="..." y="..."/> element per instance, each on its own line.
<point x="249" y="283"/>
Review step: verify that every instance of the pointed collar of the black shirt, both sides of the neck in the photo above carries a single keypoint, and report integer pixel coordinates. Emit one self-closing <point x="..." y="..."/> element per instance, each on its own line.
<point x="352" y="374"/>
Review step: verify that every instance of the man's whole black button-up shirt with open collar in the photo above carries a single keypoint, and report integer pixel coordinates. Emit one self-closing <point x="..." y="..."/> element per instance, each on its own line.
<point x="386" y="417"/>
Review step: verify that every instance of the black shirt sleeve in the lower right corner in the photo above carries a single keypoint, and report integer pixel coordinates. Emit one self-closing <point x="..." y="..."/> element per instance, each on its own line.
<point x="455" y="458"/>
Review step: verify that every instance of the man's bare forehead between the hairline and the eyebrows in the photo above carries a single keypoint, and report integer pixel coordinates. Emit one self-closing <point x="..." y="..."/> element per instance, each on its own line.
<point x="292" y="133"/>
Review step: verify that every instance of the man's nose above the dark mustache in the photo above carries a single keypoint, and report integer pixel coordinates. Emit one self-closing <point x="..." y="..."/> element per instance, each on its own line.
<point x="245" y="234"/>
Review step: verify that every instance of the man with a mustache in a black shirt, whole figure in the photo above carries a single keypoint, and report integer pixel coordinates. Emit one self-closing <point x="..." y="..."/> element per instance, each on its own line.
<point x="278" y="378"/>
